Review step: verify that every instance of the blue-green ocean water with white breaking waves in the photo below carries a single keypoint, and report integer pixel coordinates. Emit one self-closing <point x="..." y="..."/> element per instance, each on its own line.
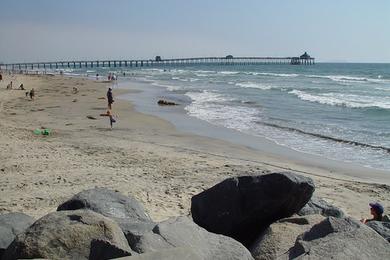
<point x="339" y="111"/>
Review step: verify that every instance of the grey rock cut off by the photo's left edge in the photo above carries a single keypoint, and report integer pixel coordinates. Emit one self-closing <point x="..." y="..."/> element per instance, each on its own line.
<point x="12" y="224"/>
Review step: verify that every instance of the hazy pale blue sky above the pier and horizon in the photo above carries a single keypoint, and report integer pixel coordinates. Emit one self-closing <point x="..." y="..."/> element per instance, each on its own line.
<point x="330" y="30"/>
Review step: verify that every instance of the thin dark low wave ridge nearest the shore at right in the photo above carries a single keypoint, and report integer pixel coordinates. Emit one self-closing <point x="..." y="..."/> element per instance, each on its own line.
<point x="339" y="140"/>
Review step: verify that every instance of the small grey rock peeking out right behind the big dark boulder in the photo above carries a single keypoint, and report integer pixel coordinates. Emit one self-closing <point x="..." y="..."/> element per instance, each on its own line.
<point x="319" y="206"/>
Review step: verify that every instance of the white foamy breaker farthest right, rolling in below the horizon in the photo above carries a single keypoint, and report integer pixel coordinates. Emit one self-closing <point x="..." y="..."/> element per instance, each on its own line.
<point x="345" y="100"/>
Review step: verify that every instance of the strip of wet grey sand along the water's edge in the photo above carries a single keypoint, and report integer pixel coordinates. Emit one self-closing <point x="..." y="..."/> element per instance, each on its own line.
<point x="187" y="124"/>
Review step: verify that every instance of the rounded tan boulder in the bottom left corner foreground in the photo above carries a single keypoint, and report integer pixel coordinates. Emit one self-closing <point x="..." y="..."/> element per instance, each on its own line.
<point x="68" y="235"/>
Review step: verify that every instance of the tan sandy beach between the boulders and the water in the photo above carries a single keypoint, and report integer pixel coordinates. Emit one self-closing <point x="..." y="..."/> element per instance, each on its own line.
<point x="143" y="155"/>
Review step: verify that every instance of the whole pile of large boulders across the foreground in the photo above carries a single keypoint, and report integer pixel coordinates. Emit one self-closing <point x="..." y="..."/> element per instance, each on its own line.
<point x="271" y="216"/>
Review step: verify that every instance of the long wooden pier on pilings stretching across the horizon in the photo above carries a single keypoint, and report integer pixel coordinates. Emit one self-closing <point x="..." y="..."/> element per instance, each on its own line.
<point x="304" y="59"/>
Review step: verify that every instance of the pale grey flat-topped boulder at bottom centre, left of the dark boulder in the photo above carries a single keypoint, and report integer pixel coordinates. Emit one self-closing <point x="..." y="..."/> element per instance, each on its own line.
<point x="183" y="232"/>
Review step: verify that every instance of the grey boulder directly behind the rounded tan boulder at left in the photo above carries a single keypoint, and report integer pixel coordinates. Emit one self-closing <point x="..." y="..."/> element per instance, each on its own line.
<point x="125" y="210"/>
